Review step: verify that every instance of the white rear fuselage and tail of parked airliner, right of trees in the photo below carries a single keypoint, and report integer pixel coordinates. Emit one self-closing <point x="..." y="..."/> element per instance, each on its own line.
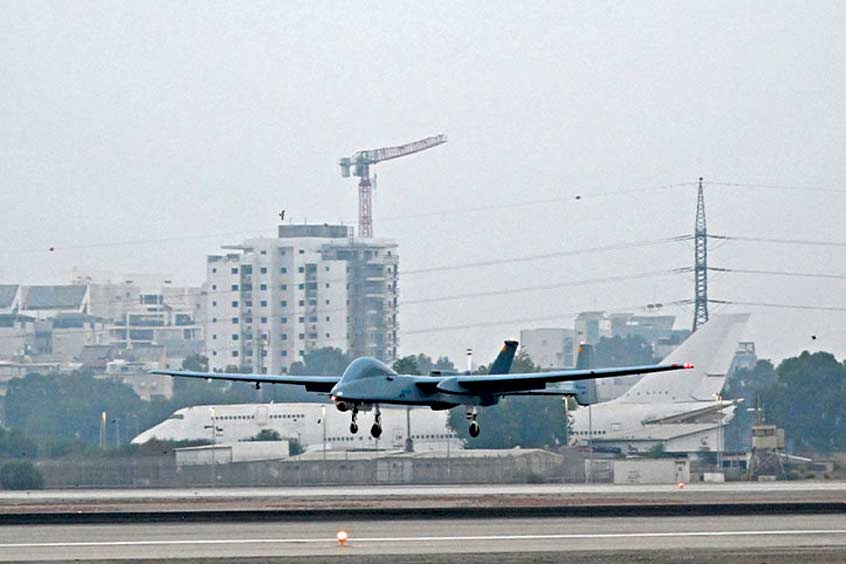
<point x="683" y="411"/>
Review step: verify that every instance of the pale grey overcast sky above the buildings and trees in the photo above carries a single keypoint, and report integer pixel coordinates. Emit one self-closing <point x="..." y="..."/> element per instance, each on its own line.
<point x="160" y="120"/>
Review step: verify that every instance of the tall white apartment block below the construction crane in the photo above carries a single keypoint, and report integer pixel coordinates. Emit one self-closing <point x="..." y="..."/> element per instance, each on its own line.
<point x="313" y="286"/>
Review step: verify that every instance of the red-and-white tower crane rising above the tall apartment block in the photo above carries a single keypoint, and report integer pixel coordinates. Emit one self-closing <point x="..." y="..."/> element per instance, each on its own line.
<point x="359" y="165"/>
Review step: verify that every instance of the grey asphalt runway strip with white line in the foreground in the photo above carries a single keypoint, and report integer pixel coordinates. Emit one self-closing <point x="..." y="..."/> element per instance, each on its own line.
<point x="519" y="539"/>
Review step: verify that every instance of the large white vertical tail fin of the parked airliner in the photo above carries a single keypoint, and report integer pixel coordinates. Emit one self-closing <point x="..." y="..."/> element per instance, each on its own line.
<point x="710" y="349"/>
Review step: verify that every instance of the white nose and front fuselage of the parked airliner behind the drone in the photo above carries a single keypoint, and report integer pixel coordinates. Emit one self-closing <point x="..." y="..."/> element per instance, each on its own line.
<point x="304" y="422"/>
